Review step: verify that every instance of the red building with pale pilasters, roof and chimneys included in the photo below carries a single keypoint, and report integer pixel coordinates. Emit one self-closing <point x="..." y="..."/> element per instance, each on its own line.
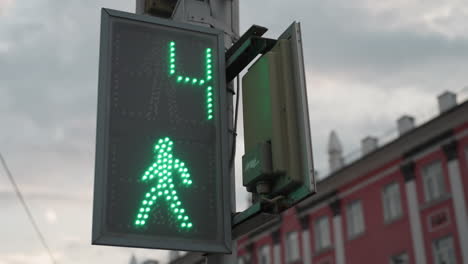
<point x="404" y="202"/>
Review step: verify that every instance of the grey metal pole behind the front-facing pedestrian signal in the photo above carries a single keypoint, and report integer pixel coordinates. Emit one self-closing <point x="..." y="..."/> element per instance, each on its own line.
<point x="223" y="15"/>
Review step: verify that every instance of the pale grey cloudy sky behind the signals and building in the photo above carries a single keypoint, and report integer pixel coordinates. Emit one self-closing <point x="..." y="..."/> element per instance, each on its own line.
<point x="367" y="63"/>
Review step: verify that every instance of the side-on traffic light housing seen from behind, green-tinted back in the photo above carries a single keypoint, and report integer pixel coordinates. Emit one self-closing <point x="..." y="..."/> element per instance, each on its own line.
<point x="278" y="151"/>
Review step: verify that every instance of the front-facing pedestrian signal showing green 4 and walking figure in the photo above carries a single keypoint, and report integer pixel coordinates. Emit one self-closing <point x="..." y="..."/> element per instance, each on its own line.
<point x="161" y="177"/>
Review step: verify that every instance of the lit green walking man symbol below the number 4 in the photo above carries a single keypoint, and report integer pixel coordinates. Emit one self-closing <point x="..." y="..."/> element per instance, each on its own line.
<point x="162" y="173"/>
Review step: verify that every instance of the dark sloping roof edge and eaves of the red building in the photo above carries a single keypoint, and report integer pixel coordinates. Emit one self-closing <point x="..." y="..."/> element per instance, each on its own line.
<point x="404" y="148"/>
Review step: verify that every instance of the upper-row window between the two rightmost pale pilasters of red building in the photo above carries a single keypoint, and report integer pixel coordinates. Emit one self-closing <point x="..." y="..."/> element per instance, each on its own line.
<point x="433" y="179"/>
